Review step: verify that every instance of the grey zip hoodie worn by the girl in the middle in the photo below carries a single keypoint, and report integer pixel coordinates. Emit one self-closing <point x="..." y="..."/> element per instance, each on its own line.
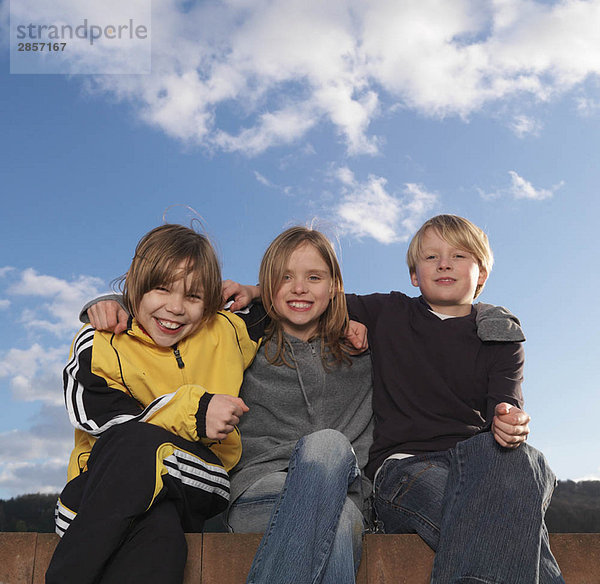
<point x="287" y="404"/>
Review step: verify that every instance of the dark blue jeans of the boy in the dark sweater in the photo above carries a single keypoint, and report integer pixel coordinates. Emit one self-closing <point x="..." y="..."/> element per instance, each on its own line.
<point x="479" y="506"/>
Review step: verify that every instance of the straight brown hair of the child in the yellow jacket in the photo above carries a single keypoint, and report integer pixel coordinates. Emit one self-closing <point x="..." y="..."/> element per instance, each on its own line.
<point x="158" y="259"/>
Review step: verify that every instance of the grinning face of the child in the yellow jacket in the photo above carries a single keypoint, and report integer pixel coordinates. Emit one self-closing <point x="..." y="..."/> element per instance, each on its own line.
<point x="171" y="312"/>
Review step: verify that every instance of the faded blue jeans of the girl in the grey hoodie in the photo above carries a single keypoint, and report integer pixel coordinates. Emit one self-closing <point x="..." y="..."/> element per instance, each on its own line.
<point x="312" y="530"/>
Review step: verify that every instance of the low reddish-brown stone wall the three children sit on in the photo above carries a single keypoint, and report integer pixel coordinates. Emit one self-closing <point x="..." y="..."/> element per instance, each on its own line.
<point x="221" y="558"/>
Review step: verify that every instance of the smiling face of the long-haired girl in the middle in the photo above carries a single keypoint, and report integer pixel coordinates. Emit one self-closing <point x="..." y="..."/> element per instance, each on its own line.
<point x="304" y="292"/>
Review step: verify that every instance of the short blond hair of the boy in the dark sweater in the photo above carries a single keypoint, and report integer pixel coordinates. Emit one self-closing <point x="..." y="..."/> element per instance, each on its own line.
<point x="458" y="232"/>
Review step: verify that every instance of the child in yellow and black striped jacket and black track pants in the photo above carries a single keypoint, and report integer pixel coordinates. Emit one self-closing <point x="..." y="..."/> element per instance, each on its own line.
<point x="155" y="413"/>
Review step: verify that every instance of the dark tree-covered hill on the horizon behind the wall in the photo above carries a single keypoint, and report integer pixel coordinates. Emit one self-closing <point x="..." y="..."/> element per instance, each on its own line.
<point x="575" y="508"/>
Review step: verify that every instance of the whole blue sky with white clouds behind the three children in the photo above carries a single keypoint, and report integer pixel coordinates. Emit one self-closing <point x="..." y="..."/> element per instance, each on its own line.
<point x="366" y="116"/>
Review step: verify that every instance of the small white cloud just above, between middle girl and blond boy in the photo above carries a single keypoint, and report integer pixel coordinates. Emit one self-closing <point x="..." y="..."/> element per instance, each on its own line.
<point x="367" y="210"/>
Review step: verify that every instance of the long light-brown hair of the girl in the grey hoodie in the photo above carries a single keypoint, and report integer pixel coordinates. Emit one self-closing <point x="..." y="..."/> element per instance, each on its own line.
<point x="332" y="323"/>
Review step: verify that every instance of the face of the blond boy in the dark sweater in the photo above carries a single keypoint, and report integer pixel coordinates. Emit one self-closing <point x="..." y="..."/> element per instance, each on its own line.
<point x="447" y="276"/>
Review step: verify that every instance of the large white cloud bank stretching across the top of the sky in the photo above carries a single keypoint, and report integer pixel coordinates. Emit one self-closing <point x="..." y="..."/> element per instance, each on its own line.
<point x="246" y="76"/>
